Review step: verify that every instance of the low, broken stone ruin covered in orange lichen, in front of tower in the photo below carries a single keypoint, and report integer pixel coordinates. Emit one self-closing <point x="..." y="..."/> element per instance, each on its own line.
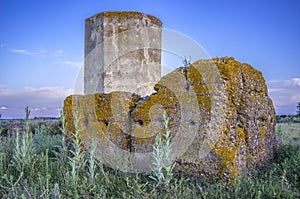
<point x="222" y="120"/>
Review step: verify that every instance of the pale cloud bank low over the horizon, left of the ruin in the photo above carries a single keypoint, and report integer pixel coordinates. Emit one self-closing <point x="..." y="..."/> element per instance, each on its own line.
<point x="43" y="101"/>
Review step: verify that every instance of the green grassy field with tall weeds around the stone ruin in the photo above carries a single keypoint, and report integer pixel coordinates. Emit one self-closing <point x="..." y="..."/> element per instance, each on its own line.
<point x="46" y="165"/>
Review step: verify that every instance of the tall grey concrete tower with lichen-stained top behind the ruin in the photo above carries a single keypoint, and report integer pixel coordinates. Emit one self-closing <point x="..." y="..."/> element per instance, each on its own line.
<point x="122" y="53"/>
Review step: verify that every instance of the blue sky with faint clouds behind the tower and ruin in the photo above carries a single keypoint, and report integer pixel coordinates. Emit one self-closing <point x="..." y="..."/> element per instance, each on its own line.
<point x="42" y="42"/>
